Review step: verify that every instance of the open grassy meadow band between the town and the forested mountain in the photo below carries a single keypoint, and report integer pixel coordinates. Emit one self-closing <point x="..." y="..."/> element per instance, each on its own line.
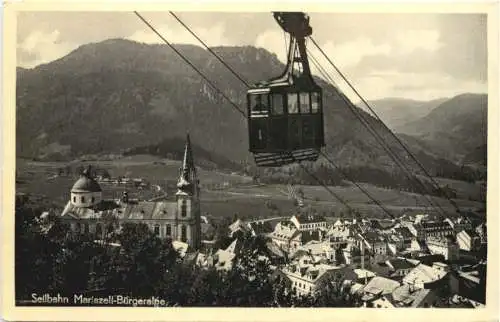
<point x="229" y="194"/>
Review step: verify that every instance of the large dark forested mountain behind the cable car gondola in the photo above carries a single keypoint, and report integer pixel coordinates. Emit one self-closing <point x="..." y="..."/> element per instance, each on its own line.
<point x="118" y="95"/>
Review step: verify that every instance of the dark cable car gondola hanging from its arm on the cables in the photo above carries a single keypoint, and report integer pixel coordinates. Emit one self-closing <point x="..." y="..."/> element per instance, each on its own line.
<point x="285" y="114"/>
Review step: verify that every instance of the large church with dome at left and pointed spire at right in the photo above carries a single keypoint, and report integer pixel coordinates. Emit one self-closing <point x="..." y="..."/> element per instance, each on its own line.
<point x="179" y="219"/>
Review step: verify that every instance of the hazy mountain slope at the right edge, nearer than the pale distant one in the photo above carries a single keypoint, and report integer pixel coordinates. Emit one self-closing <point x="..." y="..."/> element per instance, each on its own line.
<point x="456" y="129"/>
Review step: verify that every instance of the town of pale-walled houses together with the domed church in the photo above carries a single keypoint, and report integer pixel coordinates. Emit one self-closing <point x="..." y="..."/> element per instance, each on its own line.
<point x="416" y="260"/>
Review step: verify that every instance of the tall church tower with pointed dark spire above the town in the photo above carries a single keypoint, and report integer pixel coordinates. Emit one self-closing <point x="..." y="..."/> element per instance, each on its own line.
<point x="188" y="201"/>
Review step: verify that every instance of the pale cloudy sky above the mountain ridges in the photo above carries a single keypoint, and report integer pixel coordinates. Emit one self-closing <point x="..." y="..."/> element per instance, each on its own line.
<point x="415" y="56"/>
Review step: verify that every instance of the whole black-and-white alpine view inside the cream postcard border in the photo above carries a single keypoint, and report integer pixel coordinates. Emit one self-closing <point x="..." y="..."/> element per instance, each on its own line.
<point x="240" y="159"/>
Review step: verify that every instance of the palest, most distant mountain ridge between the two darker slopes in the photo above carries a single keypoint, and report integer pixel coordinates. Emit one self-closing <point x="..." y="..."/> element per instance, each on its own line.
<point x="398" y="111"/>
